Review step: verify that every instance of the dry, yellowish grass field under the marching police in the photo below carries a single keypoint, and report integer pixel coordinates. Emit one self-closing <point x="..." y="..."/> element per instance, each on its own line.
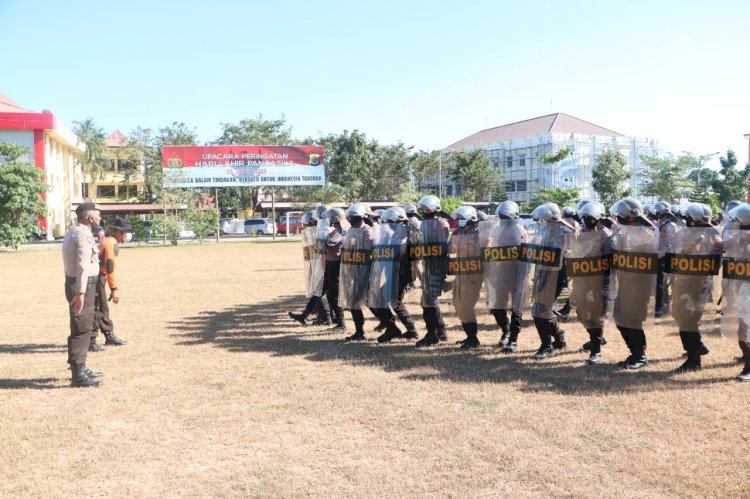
<point x="220" y="394"/>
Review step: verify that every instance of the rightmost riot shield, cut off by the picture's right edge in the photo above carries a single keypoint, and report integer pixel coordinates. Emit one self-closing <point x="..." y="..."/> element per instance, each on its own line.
<point x="735" y="300"/>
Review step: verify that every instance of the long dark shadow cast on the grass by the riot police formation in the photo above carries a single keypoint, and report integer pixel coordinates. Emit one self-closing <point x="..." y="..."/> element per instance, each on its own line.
<point x="265" y="327"/>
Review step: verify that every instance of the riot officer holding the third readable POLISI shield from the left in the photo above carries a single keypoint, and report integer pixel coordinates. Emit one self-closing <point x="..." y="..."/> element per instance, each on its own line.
<point x="428" y="244"/>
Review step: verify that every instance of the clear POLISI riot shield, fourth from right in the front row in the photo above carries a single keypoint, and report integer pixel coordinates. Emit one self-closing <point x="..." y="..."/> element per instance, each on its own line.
<point x="588" y="262"/>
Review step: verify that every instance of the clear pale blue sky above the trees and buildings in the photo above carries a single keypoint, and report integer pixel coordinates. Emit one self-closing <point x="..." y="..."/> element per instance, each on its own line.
<point x="425" y="73"/>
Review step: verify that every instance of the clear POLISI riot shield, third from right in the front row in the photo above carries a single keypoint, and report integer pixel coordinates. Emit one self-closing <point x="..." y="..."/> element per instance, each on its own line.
<point x="633" y="275"/>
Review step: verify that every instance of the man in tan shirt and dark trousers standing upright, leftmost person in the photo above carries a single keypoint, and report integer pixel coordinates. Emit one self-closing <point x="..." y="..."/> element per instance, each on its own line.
<point x="81" y="263"/>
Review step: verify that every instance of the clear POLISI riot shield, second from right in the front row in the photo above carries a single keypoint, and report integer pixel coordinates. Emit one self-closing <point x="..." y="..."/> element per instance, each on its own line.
<point x="693" y="266"/>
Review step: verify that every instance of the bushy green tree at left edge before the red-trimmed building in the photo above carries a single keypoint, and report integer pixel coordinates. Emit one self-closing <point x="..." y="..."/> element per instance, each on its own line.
<point x="21" y="185"/>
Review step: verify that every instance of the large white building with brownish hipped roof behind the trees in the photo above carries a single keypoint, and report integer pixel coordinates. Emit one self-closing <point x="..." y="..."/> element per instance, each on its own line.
<point x="516" y="148"/>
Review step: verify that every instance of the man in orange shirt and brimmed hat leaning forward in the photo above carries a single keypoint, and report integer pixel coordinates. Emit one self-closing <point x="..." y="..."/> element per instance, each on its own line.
<point x="109" y="250"/>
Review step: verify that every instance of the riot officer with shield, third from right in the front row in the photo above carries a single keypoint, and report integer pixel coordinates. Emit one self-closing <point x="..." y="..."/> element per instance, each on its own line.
<point x="635" y="247"/>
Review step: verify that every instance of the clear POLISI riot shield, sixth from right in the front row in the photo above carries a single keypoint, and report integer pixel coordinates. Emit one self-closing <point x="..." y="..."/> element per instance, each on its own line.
<point x="505" y="275"/>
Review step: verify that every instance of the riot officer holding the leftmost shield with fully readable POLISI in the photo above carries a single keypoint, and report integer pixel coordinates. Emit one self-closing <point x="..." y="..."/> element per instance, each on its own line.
<point x="354" y="277"/>
